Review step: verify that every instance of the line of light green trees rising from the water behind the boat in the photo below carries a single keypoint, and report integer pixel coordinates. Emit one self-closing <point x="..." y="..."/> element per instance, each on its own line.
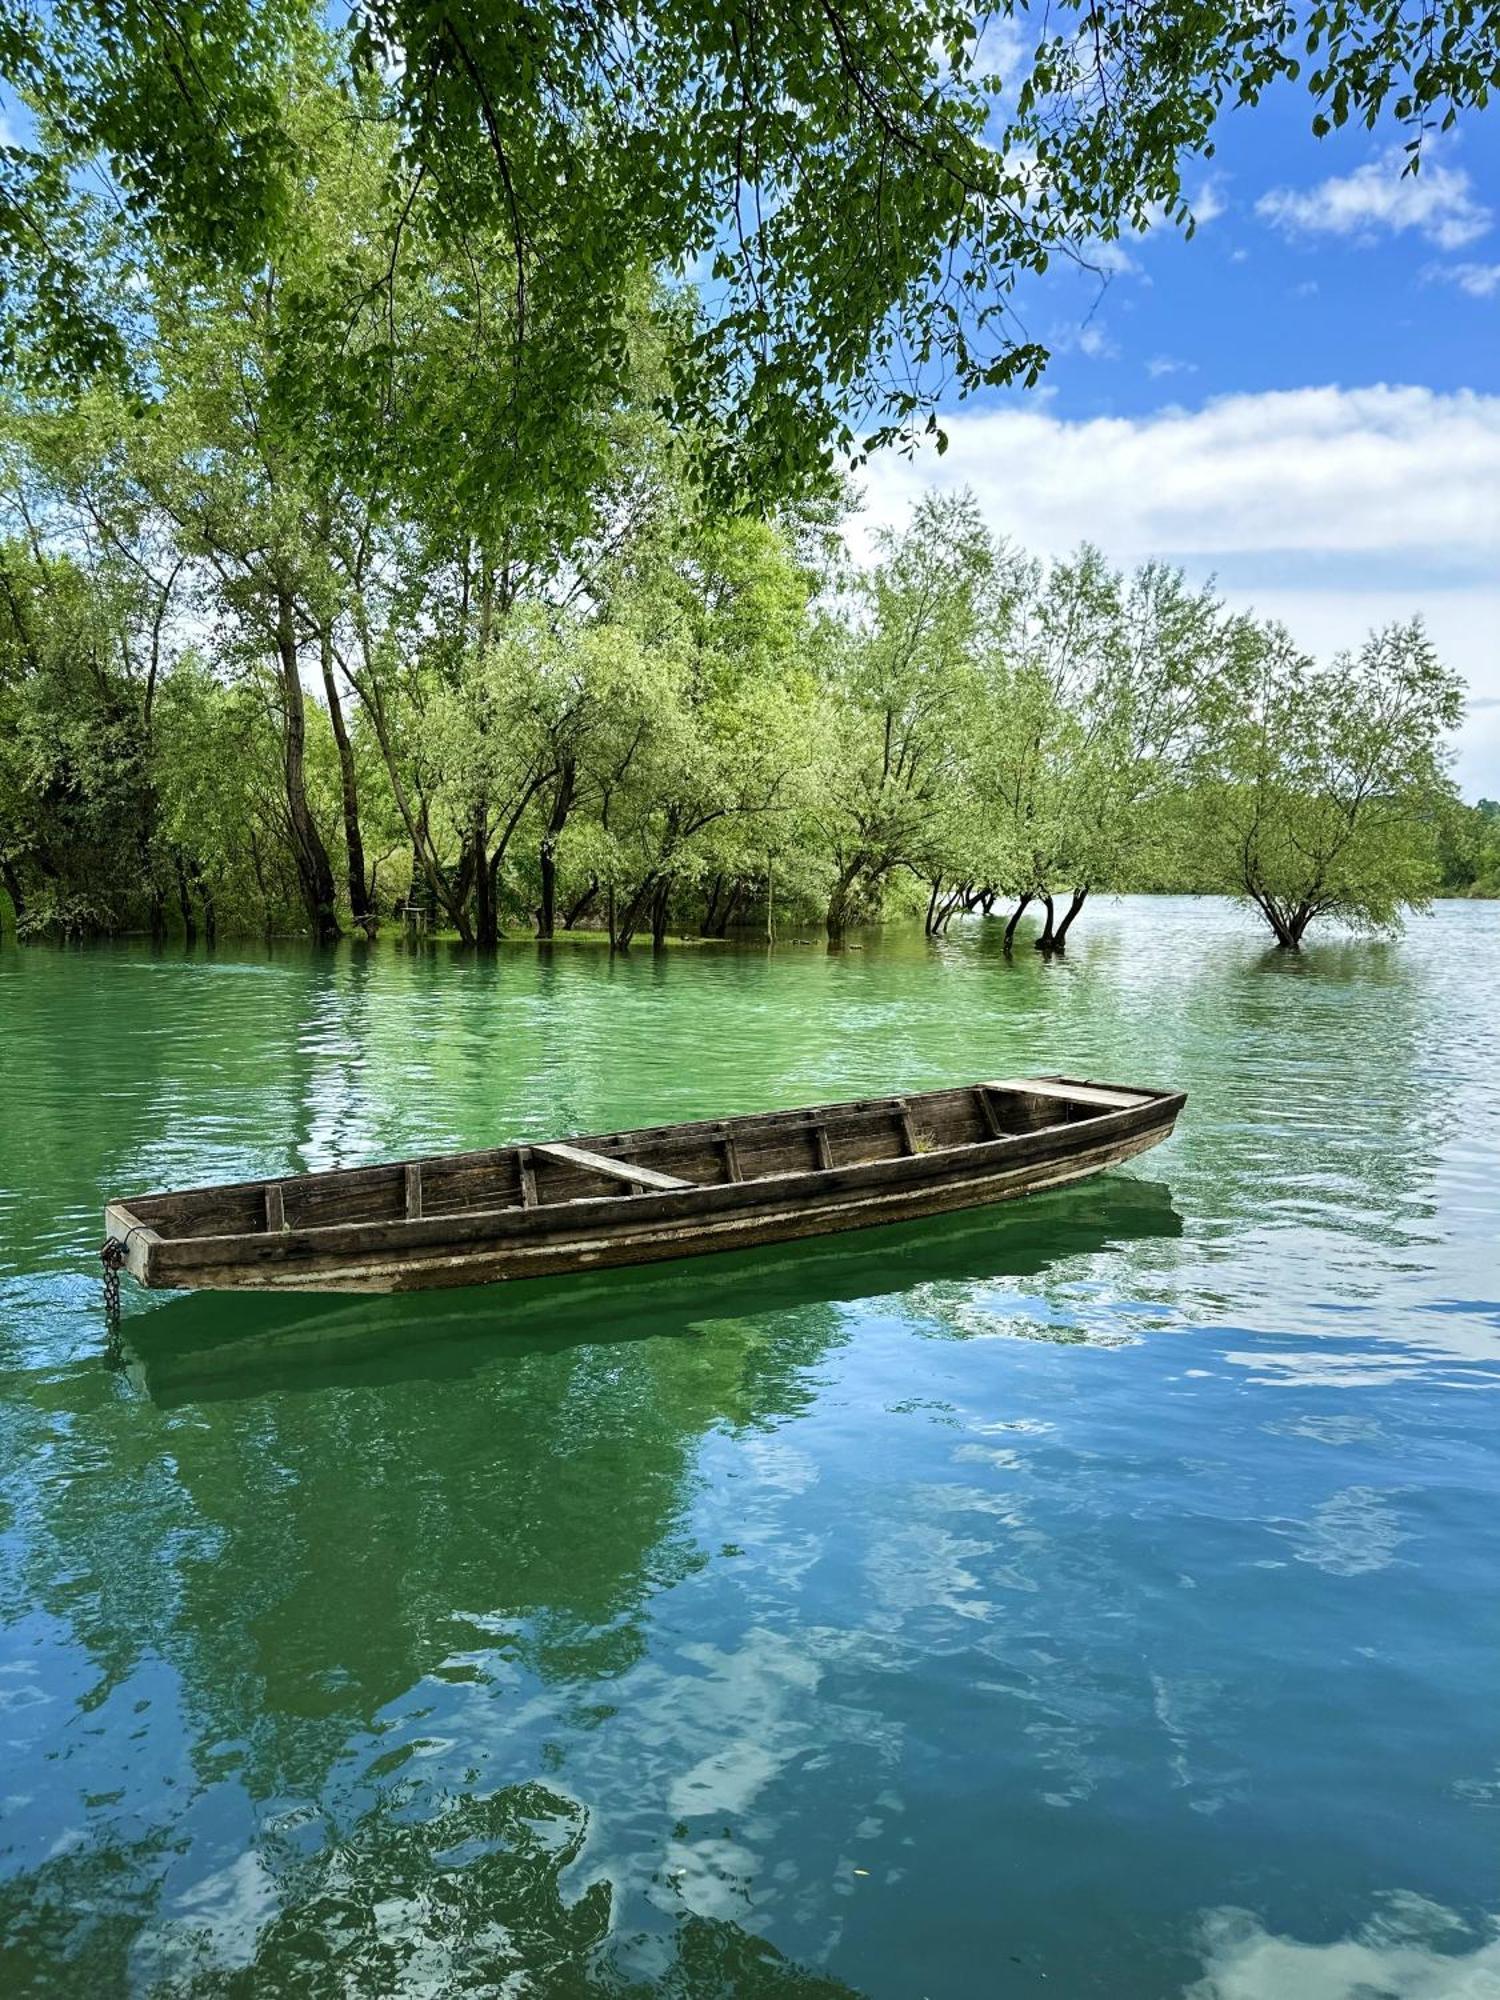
<point x="311" y="615"/>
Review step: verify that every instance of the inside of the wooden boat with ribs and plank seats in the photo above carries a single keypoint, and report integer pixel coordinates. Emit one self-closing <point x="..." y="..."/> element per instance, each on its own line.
<point x="661" y="1159"/>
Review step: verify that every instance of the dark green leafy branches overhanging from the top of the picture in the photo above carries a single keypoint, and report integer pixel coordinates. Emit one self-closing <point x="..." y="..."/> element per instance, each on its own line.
<point x="853" y="193"/>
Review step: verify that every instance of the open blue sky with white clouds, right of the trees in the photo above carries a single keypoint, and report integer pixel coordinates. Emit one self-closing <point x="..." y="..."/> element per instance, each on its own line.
<point x="1301" y="401"/>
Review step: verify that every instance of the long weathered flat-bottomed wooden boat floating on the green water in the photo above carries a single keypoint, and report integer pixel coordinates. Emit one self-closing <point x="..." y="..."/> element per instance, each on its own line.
<point x="637" y="1197"/>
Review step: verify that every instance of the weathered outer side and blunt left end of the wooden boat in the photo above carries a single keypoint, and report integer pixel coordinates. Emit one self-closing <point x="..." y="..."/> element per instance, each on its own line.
<point x="643" y="1229"/>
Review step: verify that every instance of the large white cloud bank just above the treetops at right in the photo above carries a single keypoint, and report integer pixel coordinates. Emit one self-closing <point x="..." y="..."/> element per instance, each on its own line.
<point x="1335" y="509"/>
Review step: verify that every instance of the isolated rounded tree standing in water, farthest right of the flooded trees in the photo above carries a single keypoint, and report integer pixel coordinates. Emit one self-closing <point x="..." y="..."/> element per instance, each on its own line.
<point x="1321" y="791"/>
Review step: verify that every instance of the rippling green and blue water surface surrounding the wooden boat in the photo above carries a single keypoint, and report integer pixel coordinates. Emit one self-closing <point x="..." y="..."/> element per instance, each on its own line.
<point x="1089" y="1599"/>
